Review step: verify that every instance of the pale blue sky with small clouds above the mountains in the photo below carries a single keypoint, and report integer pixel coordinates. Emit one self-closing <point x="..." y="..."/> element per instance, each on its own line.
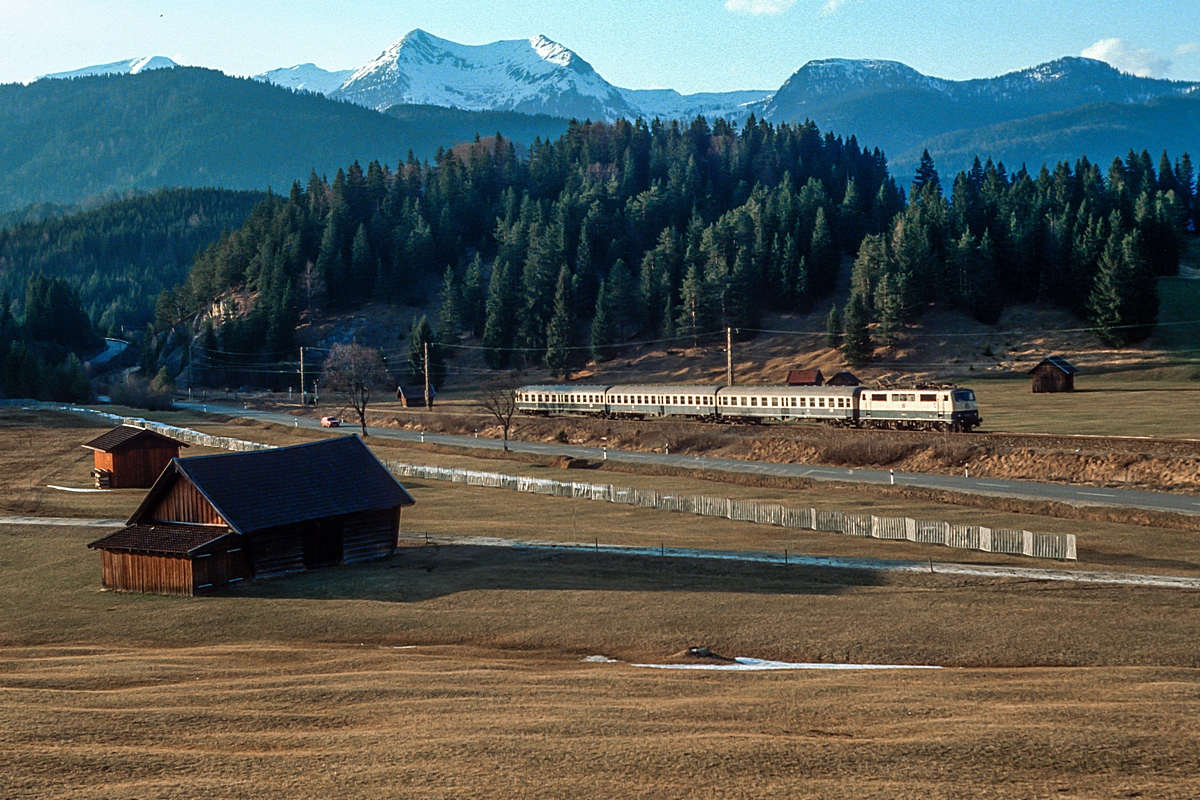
<point x="686" y="45"/>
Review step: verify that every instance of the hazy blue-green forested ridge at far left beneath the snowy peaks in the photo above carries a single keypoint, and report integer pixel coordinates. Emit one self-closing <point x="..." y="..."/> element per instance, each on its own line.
<point x="67" y="141"/>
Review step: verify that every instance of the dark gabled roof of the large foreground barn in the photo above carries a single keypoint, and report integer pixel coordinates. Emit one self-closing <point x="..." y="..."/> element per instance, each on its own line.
<point x="267" y="489"/>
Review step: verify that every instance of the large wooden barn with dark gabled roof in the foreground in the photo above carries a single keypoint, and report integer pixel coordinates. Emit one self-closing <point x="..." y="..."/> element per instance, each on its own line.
<point x="215" y="521"/>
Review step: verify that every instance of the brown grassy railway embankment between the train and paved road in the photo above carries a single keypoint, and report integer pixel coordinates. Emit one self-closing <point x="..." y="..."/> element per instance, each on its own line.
<point x="1112" y="462"/>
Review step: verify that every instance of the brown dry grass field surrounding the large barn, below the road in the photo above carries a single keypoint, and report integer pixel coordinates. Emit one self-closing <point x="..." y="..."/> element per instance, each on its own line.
<point x="451" y="672"/>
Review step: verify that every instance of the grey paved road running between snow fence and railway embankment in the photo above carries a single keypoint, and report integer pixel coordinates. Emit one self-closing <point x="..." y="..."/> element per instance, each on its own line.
<point x="1077" y="496"/>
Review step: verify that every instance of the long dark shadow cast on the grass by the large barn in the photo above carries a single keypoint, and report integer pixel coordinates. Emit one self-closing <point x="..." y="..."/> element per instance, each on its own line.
<point x="419" y="574"/>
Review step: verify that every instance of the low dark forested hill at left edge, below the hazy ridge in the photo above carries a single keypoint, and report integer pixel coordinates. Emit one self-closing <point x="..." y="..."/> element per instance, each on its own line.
<point x="119" y="257"/>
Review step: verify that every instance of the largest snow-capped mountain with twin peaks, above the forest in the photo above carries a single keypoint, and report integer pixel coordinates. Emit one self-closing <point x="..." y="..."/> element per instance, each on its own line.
<point x="535" y="76"/>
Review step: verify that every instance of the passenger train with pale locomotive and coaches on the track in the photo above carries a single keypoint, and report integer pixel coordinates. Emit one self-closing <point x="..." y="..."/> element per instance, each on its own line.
<point x="944" y="408"/>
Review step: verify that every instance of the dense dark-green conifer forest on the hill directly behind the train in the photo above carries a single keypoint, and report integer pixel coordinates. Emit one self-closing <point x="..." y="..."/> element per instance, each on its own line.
<point x="627" y="231"/>
